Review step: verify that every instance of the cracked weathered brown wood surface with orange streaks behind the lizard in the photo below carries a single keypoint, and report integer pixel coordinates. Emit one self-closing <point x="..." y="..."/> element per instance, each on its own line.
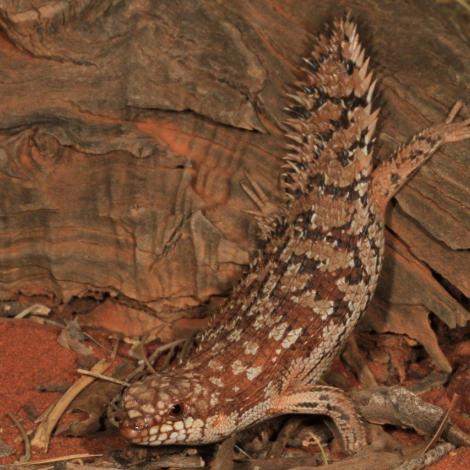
<point x="127" y="128"/>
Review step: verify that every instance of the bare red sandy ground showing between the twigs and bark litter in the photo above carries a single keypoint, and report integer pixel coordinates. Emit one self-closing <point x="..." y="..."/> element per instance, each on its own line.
<point x="30" y="356"/>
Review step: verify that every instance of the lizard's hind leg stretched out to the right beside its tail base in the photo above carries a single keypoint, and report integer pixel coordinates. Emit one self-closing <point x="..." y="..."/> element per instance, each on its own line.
<point x="394" y="172"/>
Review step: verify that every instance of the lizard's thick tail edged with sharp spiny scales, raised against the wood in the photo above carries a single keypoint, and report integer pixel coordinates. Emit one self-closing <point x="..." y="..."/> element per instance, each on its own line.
<point x="332" y="118"/>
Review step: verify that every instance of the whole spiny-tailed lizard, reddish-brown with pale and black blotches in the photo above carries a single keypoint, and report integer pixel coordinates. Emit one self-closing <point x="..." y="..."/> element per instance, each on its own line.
<point x="268" y="346"/>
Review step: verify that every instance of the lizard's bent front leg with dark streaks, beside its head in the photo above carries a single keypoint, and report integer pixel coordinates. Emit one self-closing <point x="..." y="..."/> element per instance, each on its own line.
<point x="329" y="401"/>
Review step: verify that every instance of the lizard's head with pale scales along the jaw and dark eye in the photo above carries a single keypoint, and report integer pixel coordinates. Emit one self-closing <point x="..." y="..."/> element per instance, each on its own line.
<point x="173" y="408"/>
